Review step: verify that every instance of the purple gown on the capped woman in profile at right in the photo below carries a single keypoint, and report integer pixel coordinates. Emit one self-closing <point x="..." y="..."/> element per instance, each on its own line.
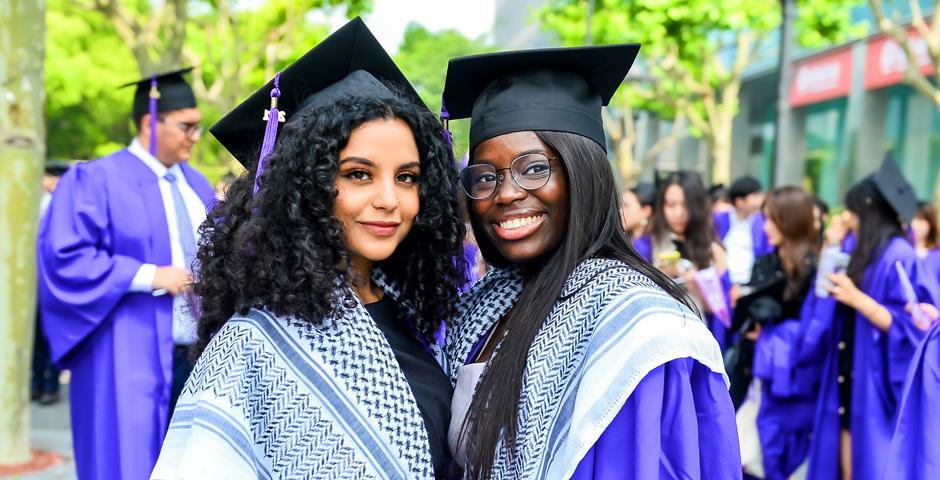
<point x="880" y="364"/>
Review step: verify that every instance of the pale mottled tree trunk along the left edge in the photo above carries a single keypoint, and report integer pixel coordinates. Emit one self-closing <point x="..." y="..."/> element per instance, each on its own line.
<point x="22" y="149"/>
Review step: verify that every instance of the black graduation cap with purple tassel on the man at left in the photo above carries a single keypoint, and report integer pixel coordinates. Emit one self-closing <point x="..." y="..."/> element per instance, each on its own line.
<point x="161" y="92"/>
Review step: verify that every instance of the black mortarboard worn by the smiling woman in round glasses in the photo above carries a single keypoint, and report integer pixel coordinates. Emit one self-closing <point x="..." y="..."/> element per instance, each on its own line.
<point x="558" y="89"/>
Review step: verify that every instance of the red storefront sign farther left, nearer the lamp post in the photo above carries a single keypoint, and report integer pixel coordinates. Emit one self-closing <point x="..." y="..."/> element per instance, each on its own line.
<point x="822" y="78"/>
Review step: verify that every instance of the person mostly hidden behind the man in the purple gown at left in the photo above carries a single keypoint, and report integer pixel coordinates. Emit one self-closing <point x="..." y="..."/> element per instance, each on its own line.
<point x="44" y="387"/>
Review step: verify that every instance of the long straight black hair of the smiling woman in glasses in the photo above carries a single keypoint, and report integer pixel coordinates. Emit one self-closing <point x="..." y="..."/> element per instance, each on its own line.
<point x="594" y="231"/>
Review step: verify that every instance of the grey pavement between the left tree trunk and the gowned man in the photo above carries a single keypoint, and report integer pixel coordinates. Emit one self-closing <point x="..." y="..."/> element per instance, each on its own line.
<point x="49" y="430"/>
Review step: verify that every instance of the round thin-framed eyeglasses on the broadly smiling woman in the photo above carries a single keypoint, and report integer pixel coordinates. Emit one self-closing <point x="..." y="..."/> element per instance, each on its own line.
<point x="530" y="171"/>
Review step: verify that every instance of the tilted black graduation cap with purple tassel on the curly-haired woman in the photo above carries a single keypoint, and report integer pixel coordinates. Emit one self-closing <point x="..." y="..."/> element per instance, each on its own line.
<point x="348" y="63"/>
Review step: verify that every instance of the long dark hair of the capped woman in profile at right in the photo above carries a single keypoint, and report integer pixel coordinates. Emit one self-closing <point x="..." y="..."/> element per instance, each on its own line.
<point x="877" y="225"/>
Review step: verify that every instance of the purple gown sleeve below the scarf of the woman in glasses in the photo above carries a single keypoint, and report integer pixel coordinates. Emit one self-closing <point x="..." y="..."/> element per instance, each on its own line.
<point x="684" y="408"/>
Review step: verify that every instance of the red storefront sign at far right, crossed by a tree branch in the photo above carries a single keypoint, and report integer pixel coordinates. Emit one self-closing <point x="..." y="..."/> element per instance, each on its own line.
<point x="886" y="60"/>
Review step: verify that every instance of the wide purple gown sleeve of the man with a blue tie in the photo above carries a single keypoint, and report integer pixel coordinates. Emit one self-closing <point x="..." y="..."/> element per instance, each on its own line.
<point x="80" y="281"/>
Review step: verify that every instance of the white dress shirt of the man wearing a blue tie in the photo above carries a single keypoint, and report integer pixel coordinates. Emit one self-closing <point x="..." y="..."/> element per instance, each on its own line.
<point x="184" y="325"/>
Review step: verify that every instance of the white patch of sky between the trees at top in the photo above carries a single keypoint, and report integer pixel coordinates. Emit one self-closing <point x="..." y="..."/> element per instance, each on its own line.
<point x="389" y="18"/>
